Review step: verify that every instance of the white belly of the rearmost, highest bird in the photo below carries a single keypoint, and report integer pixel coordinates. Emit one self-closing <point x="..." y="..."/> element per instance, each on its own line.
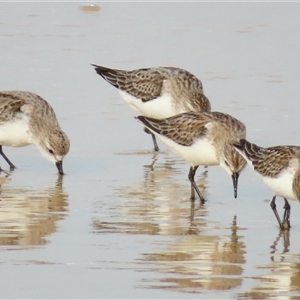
<point x="159" y="108"/>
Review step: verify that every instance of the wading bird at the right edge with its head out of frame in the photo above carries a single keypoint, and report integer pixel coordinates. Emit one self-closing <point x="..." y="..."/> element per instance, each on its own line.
<point x="279" y="168"/>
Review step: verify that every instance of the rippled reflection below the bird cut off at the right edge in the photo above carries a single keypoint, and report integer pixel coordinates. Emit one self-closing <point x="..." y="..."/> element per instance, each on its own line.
<point x="283" y="278"/>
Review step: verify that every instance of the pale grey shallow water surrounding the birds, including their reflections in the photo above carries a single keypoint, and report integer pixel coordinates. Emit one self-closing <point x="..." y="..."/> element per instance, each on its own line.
<point x="120" y="223"/>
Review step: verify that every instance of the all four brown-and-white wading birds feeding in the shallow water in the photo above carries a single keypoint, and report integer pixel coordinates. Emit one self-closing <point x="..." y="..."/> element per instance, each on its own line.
<point x="171" y="106"/>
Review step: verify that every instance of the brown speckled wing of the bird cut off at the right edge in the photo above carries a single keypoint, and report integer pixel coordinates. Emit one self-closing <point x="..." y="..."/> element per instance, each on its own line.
<point x="268" y="161"/>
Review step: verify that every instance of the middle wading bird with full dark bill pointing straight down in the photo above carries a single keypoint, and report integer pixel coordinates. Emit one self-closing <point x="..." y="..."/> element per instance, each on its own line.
<point x="202" y="139"/>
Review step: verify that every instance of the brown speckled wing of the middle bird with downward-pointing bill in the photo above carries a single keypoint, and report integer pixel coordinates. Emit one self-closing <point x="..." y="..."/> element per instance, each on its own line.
<point x="182" y="129"/>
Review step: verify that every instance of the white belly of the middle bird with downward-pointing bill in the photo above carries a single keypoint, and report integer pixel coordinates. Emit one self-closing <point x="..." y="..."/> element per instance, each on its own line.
<point x="201" y="152"/>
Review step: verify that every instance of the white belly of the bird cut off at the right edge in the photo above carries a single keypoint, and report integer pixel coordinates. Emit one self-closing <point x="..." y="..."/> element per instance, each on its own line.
<point x="283" y="185"/>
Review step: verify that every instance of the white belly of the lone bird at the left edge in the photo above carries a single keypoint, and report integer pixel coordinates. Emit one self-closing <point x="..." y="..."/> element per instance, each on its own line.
<point x="15" y="133"/>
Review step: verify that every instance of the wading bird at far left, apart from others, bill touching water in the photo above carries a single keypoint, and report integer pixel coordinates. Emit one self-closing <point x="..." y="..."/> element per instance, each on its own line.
<point x="26" y="118"/>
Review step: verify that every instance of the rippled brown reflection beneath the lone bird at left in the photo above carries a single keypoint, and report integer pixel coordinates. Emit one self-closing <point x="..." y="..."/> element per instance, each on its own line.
<point x="27" y="215"/>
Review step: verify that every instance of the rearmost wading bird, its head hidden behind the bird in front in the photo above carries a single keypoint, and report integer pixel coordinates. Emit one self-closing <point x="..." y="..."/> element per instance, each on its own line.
<point x="158" y="92"/>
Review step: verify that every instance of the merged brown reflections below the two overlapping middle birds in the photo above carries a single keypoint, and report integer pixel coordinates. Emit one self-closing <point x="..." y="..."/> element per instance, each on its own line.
<point x="193" y="259"/>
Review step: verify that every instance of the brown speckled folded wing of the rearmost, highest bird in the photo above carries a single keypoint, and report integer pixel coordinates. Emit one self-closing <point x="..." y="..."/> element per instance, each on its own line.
<point x="145" y="84"/>
